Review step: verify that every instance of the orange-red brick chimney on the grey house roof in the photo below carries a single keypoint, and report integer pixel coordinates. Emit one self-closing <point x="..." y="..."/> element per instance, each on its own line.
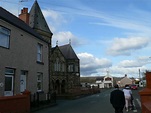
<point x="24" y="15"/>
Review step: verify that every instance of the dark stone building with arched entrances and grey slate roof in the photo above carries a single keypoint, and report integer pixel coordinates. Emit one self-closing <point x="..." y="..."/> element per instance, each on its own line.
<point x="65" y="69"/>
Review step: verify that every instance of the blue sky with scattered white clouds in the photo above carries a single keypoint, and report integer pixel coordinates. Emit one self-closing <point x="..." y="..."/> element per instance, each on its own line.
<point x="106" y="35"/>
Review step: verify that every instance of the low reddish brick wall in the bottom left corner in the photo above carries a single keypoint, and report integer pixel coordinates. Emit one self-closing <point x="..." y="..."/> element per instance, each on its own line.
<point x="15" y="104"/>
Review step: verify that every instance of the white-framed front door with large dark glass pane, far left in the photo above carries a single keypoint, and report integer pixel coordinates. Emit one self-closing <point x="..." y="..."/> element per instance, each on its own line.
<point x="8" y="85"/>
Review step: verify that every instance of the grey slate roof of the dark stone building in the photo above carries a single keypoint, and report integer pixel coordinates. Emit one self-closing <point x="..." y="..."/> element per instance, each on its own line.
<point x="67" y="52"/>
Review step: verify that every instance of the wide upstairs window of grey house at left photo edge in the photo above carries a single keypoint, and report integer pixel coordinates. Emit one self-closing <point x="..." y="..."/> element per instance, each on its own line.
<point x="4" y="37"/>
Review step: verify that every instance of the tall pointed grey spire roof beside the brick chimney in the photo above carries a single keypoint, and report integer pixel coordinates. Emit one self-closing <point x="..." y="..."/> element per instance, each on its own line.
<point x="37" y="20"/>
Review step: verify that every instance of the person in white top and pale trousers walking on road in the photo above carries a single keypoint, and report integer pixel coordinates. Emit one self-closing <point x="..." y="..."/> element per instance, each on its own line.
<point x="128" y="93"/>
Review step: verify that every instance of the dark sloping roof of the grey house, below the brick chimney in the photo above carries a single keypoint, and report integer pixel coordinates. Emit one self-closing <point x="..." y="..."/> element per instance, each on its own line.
<point x="12" y="19"/>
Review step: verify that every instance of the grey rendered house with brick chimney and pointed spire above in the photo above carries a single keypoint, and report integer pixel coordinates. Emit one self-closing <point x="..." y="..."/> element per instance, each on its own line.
<point x="24" y="52"/>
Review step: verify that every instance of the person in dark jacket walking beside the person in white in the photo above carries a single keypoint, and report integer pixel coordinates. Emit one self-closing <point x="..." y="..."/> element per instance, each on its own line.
<point x="117" y="99"/>
